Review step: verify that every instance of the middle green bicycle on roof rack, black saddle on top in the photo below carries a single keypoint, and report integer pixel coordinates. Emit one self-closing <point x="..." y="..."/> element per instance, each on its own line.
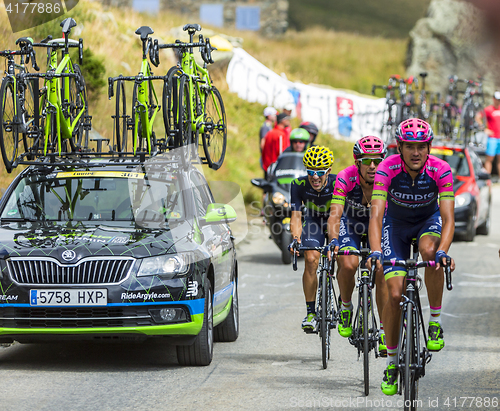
<point x="145" y="104"/>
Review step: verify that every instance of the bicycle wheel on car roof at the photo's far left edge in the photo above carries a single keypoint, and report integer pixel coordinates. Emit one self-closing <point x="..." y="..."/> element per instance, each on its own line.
<point x="8" y="129"/>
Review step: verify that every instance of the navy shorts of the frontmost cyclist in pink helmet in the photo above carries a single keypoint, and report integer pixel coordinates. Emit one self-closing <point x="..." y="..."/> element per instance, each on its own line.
<point x="397" y="237"/>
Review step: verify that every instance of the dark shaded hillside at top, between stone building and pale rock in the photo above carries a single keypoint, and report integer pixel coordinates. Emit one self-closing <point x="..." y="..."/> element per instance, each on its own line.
<point x="387" y="18"/>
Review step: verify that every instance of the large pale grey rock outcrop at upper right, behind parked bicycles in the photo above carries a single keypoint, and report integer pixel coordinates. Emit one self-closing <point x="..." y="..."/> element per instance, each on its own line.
<point x="452" y="40"/>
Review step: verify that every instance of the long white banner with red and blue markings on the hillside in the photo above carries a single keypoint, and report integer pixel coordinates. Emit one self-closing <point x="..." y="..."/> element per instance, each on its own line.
<point x="344" y="114"/>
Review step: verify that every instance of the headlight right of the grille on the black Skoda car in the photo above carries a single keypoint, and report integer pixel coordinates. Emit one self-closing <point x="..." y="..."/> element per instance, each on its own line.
<point x="167" y="266"/>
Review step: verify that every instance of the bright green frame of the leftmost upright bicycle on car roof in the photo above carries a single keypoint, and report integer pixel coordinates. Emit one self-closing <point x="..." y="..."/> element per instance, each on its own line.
<point x="64" y="126"/>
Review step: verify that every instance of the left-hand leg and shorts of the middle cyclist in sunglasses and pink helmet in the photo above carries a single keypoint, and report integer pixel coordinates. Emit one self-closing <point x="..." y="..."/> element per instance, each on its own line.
<point x="348" y="265"/>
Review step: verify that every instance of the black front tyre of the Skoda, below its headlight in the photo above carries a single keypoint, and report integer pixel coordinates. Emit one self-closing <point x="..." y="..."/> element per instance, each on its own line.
<point x="201" y="351"/>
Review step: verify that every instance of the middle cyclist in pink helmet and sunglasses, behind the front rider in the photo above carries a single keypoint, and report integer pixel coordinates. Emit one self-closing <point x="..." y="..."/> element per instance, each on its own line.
<point x="348" y="221"/>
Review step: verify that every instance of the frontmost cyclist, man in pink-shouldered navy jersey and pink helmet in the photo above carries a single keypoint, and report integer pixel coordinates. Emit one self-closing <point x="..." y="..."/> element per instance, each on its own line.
<point x="418" y="191"/>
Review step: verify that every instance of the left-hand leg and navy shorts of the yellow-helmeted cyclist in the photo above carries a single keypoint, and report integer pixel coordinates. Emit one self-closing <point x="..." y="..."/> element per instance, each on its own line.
<point x="312" y="236"/>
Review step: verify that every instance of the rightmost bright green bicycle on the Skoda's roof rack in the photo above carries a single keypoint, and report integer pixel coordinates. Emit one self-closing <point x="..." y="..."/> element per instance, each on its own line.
<point x="192" y="105"/>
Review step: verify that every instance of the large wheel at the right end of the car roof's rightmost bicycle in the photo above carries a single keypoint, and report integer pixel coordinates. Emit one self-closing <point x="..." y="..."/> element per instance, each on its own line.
<point x="215" y="132"/>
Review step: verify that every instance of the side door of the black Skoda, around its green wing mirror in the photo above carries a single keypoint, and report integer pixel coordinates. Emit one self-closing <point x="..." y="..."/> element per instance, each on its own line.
<point x="217" y="239"/>
